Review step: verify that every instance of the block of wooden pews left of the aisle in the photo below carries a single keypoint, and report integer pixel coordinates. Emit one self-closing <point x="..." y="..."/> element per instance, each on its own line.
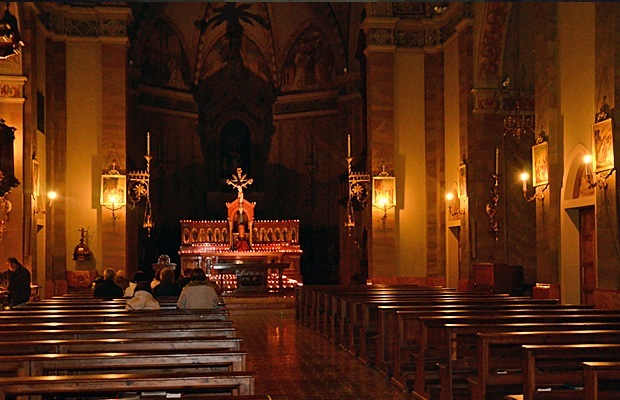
<point x="73" y="346"/>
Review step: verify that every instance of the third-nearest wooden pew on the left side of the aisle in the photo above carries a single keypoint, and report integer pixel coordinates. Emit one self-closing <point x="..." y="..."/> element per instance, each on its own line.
<point x="117" y="345"/>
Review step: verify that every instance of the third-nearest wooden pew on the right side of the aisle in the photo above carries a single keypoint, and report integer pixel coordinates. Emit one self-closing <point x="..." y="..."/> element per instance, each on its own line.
<point x="503" y="351"/>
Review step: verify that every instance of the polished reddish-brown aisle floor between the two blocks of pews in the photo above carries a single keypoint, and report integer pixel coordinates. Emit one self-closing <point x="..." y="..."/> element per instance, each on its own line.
<point x="292" y="362"/>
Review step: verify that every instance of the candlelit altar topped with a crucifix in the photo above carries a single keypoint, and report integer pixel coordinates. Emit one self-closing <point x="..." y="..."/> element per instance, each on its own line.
<point x="240" y="247"/>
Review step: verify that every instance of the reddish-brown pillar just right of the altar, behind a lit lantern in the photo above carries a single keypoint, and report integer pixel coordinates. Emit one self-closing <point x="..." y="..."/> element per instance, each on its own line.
<point x="380" y="116"/>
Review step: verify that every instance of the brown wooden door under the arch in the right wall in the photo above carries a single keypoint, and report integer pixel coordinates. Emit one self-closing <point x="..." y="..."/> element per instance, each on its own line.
<point x="587" y="253"/>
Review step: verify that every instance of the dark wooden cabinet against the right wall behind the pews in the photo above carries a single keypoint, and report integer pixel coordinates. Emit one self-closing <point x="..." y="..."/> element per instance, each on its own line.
<point x="498" y="278"/>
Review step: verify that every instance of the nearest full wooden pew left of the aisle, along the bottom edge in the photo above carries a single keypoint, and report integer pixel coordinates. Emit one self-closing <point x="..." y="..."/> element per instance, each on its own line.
<point x="236" y="383"/>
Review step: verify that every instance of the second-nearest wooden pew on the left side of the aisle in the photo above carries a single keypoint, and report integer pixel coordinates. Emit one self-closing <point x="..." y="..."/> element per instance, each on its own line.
<point x="89" y="363"/>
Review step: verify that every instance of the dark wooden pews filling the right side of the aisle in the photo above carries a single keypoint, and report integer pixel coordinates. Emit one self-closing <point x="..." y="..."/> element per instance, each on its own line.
<point x="446" y="344"/>
